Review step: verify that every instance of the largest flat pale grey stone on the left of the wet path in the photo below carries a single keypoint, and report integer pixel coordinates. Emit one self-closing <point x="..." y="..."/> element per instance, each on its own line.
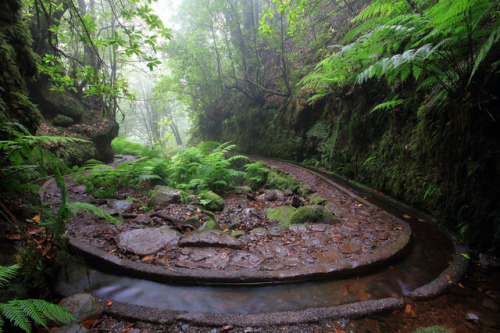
<point x="146" y="241"/>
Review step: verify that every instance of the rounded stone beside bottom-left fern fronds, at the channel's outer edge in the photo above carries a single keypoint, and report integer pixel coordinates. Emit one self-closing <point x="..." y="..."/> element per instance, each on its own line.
<point x="83" y="307"/>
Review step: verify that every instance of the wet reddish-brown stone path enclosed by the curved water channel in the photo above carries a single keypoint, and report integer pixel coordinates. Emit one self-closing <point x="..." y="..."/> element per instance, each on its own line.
<point x="244" y="240"/>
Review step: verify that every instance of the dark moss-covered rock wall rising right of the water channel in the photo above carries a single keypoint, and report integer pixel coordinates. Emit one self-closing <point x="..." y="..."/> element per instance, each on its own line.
<point x="437" y="154"/>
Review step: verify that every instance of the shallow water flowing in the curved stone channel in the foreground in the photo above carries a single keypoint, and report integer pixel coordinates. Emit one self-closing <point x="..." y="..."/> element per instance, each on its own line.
<point x="430" y="255"/>
